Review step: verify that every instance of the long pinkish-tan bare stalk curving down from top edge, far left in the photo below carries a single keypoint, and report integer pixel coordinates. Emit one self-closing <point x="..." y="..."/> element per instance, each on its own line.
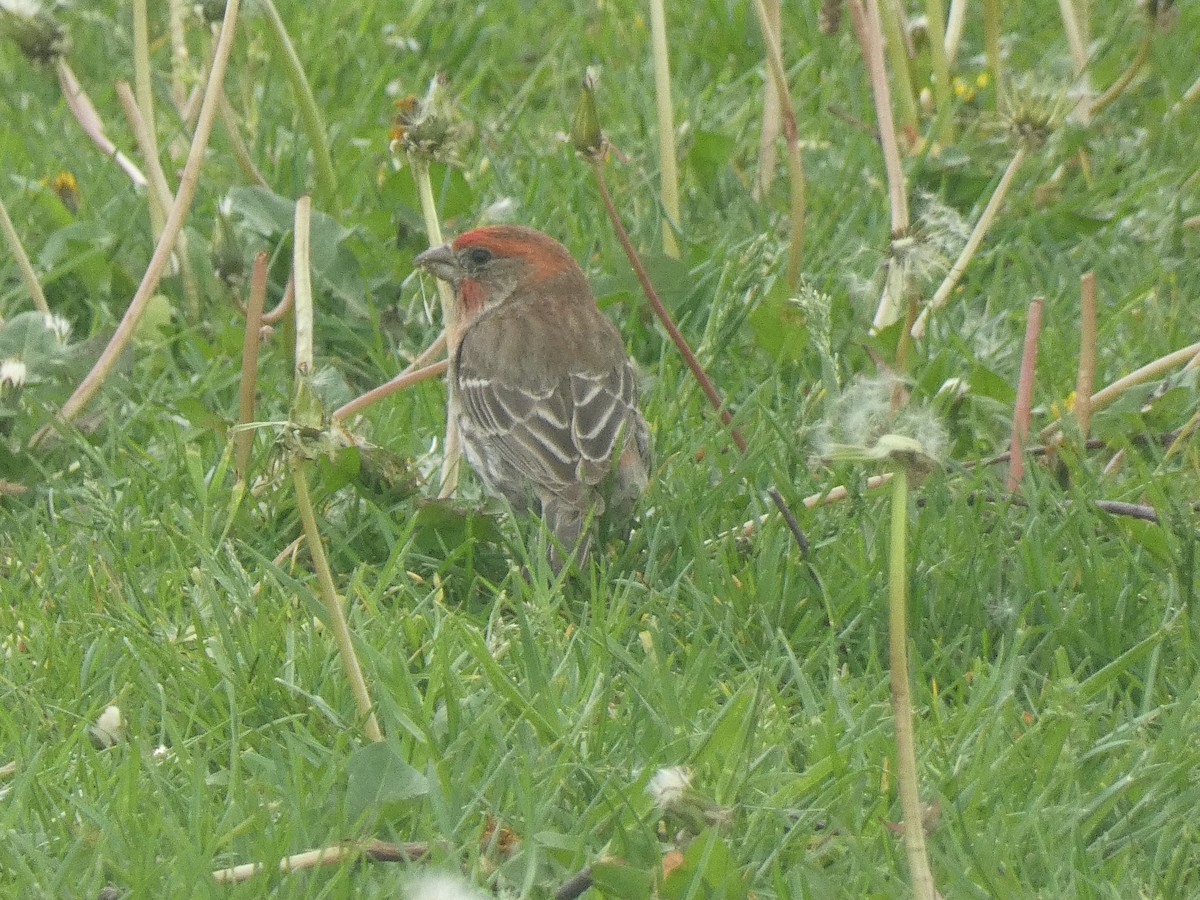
<point x="188" y="183"/>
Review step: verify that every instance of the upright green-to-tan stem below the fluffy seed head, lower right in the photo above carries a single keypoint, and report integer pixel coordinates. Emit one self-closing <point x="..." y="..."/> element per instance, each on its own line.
<point x="902" y="697"/>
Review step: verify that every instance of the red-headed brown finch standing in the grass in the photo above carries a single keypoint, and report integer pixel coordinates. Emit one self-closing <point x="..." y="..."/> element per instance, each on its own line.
<point x="545" y="397"/>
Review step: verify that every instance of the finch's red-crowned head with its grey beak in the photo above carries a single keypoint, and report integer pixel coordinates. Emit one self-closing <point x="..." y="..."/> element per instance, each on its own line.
<point x="490" y="266"/>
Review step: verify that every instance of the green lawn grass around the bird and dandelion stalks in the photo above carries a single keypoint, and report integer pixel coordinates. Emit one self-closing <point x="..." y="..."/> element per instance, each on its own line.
<point x="1054" y="649"/>
